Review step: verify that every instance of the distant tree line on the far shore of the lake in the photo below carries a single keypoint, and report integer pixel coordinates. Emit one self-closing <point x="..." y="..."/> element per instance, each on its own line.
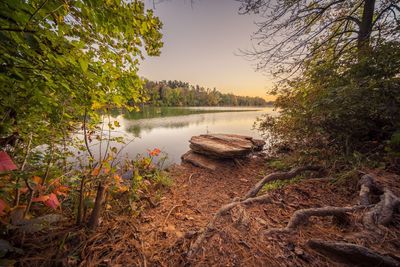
<point x="178" y="93"/>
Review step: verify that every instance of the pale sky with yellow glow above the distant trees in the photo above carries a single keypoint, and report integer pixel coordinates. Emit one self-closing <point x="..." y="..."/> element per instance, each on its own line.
<point x="202" y="43"/>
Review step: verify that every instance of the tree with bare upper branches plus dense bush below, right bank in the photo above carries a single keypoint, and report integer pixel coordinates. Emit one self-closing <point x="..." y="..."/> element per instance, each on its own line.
<point x="345" y="93"/>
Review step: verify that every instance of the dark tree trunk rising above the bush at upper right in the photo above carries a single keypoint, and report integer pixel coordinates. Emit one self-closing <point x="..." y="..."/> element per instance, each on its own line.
<point x="366" y="26"/>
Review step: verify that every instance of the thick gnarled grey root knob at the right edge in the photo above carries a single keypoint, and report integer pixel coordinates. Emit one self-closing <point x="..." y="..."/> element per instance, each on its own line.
<point x="382" y="213"/>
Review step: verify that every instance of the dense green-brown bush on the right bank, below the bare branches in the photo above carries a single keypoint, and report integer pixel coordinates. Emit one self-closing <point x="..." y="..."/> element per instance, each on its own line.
<point x="344" y="104"/>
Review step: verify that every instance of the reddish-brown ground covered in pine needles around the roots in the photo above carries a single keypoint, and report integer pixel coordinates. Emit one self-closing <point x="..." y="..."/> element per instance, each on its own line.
<point x="161" y="236"/>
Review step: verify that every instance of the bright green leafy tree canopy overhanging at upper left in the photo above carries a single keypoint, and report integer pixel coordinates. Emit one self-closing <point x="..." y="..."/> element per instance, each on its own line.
<point x="63" y="60"/>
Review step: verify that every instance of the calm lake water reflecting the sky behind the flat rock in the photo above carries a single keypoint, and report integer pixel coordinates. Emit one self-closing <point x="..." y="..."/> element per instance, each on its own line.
<point x="170" y="129"/>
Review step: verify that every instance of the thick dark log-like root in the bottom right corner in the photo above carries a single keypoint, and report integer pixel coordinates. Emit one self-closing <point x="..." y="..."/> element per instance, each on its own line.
<point x="351" y="254"/>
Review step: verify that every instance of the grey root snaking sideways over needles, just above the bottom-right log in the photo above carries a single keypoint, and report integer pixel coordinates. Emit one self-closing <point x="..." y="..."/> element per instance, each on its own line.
<point x="301" y="217"/>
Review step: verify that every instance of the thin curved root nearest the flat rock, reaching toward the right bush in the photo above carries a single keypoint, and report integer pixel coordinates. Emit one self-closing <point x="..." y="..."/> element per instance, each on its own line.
<point x="279" y="176"/>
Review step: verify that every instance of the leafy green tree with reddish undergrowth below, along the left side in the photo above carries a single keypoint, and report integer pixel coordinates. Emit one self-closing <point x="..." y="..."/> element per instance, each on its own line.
<point x="63" y="64"/>
